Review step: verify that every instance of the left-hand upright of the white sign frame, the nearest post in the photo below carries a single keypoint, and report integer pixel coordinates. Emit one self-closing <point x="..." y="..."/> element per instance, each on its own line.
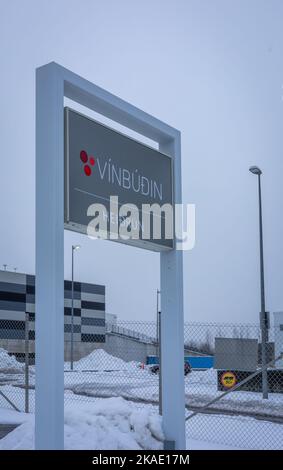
<point x="49" y="316"/>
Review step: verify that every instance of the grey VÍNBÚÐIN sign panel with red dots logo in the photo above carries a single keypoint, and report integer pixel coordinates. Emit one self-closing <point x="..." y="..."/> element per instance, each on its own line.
<point x="99" y="163"/>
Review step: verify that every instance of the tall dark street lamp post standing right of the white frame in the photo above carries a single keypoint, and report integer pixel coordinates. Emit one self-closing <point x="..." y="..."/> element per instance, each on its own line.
<point x="263" y="314"/>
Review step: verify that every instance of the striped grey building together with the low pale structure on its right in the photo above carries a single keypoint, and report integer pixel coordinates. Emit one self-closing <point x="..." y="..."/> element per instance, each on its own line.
<point x="93" y="328"/>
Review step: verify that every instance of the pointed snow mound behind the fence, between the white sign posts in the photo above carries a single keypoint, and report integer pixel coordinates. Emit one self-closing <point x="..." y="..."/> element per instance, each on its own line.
<point x="100" y="360"/>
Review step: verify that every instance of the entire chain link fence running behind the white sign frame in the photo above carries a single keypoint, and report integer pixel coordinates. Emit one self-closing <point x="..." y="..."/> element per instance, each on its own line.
<point x="220" y="358"/>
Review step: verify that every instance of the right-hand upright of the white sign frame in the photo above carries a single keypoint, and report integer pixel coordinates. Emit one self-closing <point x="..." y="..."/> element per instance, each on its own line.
<point x="172" y="324"/>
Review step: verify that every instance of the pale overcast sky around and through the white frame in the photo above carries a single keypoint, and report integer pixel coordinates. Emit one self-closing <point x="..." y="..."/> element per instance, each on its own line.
<point x="213" y="69"/>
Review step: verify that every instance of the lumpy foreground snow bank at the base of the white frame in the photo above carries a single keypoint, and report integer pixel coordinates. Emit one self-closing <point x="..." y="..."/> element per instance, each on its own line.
<point x="109" y="424"/>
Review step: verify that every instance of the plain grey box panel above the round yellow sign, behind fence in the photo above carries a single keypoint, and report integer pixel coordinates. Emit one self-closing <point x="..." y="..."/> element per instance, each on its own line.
<point x="236" y="354"/>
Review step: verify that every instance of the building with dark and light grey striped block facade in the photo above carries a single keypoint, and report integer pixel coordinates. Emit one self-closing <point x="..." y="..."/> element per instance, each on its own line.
<point x="17" y="307"/>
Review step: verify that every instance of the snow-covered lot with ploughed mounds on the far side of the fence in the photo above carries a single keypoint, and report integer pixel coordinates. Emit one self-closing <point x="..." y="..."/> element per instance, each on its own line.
<point x="101" y="375"/>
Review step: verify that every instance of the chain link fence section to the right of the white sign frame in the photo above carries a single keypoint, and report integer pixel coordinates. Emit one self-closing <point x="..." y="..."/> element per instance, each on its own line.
<point x="241" y="419"/>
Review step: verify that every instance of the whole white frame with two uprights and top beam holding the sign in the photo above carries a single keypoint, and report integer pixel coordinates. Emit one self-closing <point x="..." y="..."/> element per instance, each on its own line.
<point x="53" y="82"/>
